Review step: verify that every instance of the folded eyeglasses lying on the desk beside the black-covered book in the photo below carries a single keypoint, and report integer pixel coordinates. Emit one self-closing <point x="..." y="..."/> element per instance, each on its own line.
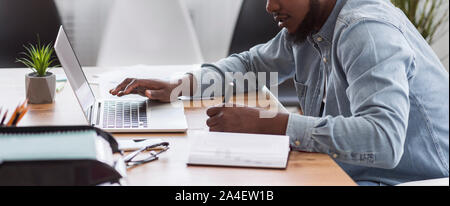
<point x="152" y="154"/>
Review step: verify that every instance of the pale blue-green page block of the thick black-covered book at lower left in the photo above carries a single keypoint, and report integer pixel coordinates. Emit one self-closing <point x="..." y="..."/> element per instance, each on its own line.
<point x="67" y="145"/>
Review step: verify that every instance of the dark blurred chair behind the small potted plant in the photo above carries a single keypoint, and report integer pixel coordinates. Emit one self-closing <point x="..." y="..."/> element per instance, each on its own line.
<point x="20" y="23"/>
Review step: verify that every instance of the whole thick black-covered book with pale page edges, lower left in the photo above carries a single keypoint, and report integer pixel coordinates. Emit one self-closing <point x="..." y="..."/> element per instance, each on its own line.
<point x="60" y="155"/>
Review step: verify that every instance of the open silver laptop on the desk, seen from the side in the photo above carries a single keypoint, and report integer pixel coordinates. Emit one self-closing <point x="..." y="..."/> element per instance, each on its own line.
<point x="117" y="115"/>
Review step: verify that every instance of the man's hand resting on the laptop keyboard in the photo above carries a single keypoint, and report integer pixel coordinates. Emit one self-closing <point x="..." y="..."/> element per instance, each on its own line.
<point x="153" y="89"/>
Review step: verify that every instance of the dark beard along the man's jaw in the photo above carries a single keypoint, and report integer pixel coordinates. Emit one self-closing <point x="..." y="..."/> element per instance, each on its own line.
<point x="308" y="26"/>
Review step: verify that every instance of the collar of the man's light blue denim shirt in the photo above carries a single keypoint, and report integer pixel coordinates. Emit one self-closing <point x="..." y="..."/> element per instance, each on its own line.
<point x="327" y="30"/>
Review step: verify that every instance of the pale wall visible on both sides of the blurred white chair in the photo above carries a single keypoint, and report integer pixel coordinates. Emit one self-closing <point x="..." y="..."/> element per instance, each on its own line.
<point x="213" y="21"/>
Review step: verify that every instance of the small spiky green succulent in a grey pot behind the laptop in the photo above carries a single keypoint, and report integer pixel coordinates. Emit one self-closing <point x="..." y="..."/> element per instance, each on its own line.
<point x="40" y="85"/>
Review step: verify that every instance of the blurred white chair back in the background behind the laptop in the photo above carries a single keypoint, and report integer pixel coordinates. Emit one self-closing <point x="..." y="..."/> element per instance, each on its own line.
<point x="151" y="32"/>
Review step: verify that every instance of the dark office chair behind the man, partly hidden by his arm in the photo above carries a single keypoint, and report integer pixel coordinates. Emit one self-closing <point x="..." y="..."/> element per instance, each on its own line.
<point x="255" y="26"/>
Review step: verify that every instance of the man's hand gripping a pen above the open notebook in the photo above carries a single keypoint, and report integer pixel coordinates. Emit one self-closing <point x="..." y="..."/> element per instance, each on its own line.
<point x="231" y="118"/>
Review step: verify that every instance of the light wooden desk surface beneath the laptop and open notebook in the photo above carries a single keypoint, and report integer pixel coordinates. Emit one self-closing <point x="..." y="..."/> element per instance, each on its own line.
<point x="171" y="168"/>
